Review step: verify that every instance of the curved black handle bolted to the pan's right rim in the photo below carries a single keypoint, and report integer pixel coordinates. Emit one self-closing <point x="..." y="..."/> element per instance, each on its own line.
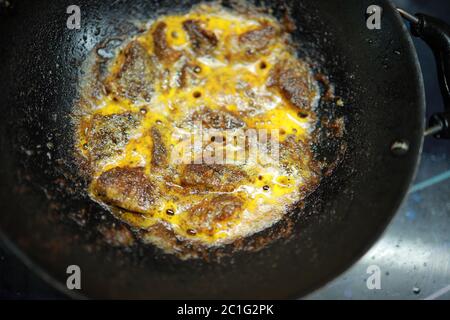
<point x="436" y="33"/>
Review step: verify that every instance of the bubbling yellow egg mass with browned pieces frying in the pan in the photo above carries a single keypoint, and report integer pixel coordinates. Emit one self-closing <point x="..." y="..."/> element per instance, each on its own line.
<point x="212" y="69"/>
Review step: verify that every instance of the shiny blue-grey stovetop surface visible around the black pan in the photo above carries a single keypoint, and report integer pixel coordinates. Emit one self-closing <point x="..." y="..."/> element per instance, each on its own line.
<point x="414" y="252"/>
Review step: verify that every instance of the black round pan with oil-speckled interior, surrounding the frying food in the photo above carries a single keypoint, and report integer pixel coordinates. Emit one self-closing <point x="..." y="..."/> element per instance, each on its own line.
<point x="51" y="224"/>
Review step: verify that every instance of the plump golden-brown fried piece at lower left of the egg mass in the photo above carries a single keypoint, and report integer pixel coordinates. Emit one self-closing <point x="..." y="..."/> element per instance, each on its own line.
<point x="126" y="188"/>
